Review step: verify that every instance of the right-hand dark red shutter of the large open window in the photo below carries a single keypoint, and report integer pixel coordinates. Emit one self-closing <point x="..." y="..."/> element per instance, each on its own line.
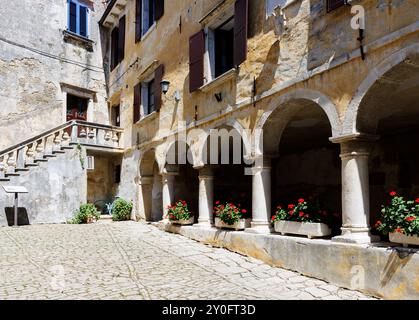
<point x="240" y="31"/>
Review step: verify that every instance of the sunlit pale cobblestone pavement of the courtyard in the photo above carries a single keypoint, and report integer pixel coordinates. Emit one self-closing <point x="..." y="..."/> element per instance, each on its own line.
<point x="137" y="261"/>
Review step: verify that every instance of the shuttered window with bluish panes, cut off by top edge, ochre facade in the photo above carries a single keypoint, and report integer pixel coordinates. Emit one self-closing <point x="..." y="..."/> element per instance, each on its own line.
<point x="147" y="13"/>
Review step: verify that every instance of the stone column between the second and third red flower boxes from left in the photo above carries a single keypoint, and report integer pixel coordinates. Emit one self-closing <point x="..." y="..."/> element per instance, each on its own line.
<point x="261" y="197"/>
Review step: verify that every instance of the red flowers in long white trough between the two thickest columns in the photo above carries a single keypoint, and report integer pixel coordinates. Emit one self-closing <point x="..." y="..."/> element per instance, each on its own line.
<point x="300" y="219"/>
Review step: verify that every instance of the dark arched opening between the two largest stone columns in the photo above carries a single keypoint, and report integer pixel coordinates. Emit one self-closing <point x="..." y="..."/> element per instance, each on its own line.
<point x="305" y="164"/>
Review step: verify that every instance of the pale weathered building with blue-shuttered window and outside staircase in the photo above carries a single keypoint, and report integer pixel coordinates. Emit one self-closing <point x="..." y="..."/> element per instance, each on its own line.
<point x="51" y="72"/>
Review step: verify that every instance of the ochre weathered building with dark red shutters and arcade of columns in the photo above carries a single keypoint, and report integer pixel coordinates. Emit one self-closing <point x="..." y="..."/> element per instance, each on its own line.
<point x="321" y="94"/>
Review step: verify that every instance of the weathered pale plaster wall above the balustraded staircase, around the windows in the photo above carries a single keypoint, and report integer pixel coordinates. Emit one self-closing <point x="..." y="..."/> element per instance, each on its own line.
<point x="35" y="61"/>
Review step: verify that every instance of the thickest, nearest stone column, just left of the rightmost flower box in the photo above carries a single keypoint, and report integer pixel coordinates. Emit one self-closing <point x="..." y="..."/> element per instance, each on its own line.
<point x="355" y="192"/>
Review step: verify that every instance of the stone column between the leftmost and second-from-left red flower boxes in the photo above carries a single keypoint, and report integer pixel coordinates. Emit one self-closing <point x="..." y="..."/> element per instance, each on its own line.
<point x="206" y="197"/>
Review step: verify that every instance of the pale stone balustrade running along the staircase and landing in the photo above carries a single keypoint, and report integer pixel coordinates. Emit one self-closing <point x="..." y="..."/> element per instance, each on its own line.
<point x="20" y="158"/>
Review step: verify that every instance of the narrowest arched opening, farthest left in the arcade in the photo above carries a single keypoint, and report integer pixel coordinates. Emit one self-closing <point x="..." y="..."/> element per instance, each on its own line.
<point x="150" y="193"/>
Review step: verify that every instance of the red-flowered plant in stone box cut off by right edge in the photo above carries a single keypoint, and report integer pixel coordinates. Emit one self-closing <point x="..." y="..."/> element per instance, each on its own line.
<point x="400" y="220"/>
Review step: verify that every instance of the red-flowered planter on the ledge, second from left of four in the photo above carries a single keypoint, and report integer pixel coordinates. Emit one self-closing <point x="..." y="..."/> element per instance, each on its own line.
<point x="230" y="216"/>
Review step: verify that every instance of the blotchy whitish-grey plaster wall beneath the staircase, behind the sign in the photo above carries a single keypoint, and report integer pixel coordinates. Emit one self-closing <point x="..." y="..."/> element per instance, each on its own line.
<point x="56" y="188"/>
